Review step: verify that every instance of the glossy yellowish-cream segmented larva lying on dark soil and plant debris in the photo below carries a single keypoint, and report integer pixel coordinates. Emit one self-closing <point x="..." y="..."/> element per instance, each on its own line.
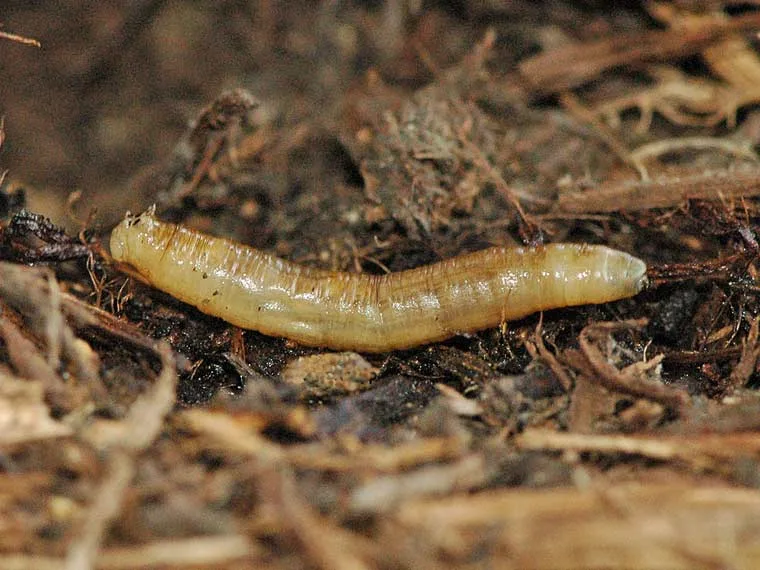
<point x="370" y="313"/>
